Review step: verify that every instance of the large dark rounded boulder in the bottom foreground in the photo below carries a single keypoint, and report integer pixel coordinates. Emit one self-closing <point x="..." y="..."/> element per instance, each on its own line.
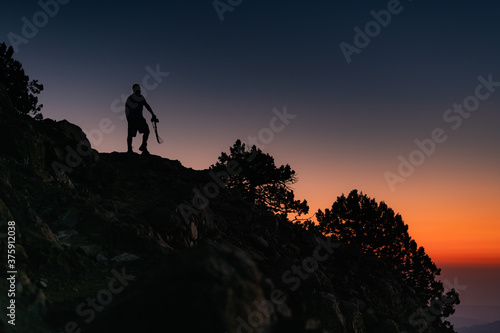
<point x="210" y="288"/>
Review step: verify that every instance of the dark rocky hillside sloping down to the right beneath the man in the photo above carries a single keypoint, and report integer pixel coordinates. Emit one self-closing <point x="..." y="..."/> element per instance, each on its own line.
<point x="126" y="243"/>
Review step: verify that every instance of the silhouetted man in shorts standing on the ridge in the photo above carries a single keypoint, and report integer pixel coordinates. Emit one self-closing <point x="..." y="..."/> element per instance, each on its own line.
<point x="136" y="121"/>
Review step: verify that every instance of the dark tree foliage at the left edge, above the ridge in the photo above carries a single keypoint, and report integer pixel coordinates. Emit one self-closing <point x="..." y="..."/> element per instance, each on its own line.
<point x="17" y="86"/>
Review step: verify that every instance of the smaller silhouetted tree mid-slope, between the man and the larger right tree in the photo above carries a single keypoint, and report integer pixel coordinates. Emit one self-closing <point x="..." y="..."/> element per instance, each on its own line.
<point x="259" y="181"/>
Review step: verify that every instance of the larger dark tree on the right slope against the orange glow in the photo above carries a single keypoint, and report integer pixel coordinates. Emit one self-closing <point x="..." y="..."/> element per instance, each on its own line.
<point x="357" y="219"/>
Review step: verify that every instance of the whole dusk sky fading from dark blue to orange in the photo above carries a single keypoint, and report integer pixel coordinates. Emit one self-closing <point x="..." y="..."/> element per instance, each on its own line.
<point x="353" y="120"/>
